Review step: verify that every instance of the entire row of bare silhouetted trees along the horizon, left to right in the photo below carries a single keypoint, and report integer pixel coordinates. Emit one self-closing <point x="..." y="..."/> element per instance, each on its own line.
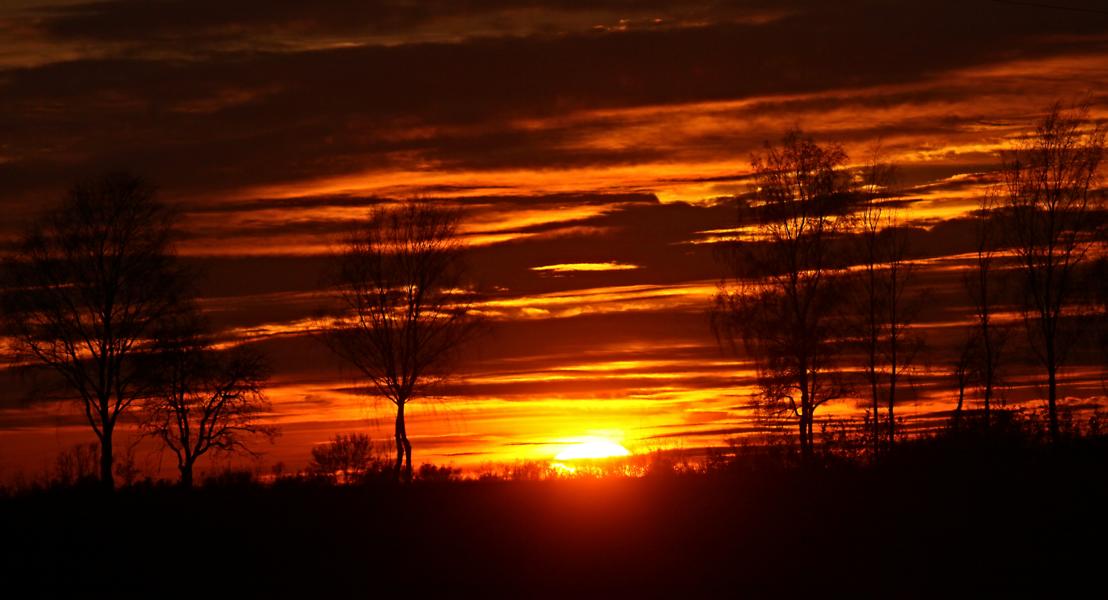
<point x="824" y="296"/>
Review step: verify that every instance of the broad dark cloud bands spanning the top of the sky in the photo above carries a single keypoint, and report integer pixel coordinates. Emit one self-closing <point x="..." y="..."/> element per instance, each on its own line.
<point x="216" y="123"/>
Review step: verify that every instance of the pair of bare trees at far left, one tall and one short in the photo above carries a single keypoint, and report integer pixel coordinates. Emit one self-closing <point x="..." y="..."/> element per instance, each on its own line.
<point x="95" y="294"/>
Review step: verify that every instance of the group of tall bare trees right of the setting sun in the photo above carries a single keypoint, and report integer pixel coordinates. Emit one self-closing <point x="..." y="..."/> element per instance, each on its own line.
<point x="825" y="284"/>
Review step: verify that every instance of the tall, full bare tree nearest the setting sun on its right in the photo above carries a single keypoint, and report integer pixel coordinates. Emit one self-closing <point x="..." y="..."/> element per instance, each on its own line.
<point x="783" y="301"/>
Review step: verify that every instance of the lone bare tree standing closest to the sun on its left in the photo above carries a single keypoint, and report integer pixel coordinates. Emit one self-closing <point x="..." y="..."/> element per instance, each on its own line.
<point x="399" y="277"/>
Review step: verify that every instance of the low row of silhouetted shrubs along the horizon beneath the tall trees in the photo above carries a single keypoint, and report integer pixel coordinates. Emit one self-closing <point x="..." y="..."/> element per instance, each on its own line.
<point x="1013" y="438"/>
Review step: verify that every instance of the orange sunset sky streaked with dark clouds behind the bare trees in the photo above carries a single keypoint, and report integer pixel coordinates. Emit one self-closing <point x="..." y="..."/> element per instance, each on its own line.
<point x="598" y="150"/>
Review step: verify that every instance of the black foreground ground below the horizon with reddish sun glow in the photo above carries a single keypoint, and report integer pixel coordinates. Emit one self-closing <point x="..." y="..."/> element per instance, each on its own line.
<point x="921" y="525"/>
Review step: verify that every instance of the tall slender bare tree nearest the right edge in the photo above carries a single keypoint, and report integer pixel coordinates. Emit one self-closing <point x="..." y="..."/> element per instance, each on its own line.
<point x="1051" y="195"/>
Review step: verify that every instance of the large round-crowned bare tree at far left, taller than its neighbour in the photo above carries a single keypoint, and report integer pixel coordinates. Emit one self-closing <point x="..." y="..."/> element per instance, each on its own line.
<point x="85" y="289"/>
